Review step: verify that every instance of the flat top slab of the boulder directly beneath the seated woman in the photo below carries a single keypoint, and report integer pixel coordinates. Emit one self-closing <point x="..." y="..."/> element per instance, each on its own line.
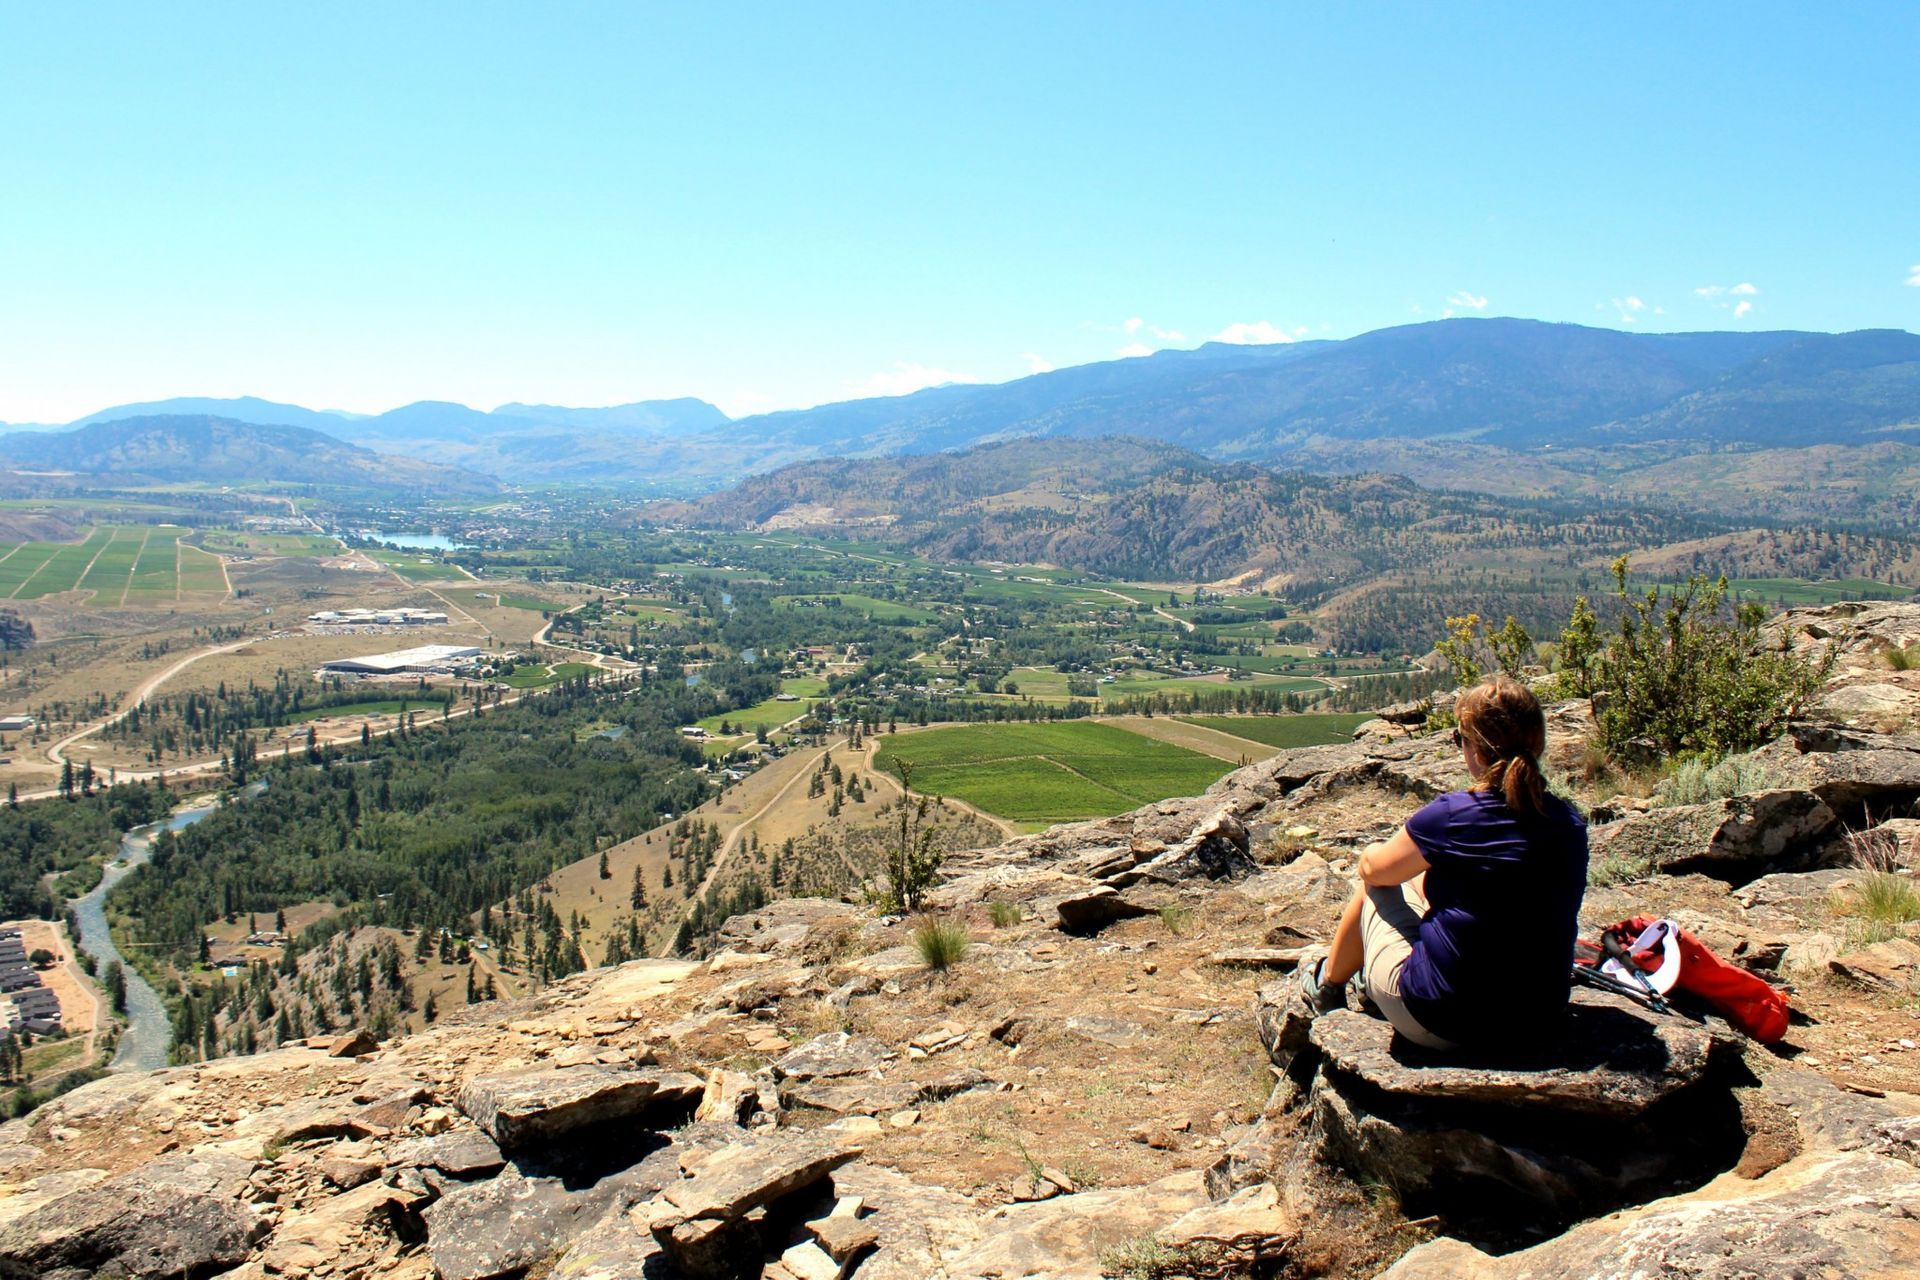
<point x="1612" y="1060"/>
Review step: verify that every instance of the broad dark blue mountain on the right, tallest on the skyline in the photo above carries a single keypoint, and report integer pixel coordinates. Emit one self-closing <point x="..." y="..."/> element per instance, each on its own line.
<point x="1522" y="385"/>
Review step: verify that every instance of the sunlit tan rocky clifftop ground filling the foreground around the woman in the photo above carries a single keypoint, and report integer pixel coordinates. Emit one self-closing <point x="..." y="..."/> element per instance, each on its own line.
<point x="1115" y="1081"/>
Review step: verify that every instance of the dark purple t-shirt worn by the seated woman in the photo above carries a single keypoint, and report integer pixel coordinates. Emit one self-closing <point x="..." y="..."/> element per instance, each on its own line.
<point x="1504" y="895"/>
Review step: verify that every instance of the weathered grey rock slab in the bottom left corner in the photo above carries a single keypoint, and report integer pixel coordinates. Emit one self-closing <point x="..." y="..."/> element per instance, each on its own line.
<point x="178" y="1216"/>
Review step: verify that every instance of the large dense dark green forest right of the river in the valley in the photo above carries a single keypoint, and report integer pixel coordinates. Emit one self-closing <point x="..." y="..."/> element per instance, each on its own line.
<point x="431" y="826"/>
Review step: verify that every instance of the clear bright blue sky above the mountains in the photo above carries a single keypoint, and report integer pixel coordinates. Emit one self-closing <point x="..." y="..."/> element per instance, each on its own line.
<point x="767" y="206"/>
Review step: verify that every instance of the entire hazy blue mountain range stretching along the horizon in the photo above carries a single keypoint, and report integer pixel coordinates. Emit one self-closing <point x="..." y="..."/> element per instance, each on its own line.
<point x="1479" y="404"/>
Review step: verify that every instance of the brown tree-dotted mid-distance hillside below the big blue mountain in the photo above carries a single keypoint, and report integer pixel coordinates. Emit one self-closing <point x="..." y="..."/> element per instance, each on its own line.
<point x="1136" y="510"/>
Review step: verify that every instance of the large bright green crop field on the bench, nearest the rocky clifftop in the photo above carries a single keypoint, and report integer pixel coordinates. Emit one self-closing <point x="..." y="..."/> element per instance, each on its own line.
<point x="1042" y="774"/>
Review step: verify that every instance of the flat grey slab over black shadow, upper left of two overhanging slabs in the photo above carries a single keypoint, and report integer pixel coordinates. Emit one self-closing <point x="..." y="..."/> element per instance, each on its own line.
<point x="539" y="1106"/>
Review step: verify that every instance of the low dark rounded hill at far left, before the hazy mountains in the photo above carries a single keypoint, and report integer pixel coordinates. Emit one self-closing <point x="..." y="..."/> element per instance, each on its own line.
<point x="181" y="448"/>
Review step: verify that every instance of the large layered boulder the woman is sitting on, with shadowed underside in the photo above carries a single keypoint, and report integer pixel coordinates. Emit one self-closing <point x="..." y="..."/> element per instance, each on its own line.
<point x="1620" y="1108"/>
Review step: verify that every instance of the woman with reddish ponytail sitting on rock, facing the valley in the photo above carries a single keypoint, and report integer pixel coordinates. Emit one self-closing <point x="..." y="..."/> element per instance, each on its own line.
<point x="1464" y="928"/>
